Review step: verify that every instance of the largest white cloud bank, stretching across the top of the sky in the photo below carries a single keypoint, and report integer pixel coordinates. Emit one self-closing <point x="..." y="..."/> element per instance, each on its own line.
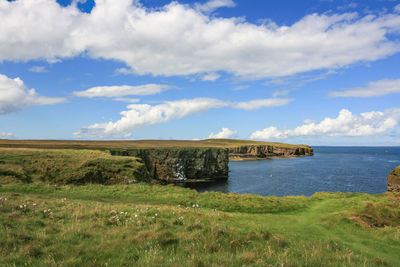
<point x="146" y="39"/>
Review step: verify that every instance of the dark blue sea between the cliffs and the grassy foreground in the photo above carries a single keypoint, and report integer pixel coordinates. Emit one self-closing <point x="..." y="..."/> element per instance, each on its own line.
<point x="334" y="169"/>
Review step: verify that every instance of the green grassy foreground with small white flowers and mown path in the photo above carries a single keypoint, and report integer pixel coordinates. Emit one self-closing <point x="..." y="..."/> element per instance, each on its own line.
<point x="151" y="225"/>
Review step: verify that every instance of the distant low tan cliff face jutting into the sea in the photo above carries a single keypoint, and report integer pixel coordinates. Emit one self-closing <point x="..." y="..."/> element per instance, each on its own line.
<point x="264" y="151"/>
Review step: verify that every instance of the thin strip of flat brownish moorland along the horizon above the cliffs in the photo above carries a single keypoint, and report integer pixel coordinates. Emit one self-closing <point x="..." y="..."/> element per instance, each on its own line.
<point x="218" y="143"/>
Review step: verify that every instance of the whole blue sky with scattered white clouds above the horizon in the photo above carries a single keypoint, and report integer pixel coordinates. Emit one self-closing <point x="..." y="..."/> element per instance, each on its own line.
<point x="317" y="72"/>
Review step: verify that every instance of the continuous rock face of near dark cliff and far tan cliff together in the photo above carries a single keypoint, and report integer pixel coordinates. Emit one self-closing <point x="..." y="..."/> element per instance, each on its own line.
<point x="203" y="164"/>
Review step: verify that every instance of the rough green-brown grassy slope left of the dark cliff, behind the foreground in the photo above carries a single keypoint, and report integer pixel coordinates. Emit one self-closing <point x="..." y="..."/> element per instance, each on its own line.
<point x="67" y="166"/>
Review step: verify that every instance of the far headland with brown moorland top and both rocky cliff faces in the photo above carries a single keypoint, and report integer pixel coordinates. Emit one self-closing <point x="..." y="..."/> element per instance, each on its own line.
<point x="178" y="160"/>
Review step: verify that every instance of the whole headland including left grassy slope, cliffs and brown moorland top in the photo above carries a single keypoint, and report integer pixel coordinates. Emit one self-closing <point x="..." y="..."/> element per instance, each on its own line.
<point x="167" y="160"/>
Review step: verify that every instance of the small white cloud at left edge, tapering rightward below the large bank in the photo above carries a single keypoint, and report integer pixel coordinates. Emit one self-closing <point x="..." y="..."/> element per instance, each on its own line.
<point x="15" y="96"/>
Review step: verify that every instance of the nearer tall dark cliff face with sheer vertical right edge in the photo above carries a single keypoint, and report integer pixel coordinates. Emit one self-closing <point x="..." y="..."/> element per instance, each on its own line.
<point x="182" y="164"/>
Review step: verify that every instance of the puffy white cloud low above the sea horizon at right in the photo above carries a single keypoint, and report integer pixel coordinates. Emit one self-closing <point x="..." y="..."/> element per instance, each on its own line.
<point x="345" y="124"/>
